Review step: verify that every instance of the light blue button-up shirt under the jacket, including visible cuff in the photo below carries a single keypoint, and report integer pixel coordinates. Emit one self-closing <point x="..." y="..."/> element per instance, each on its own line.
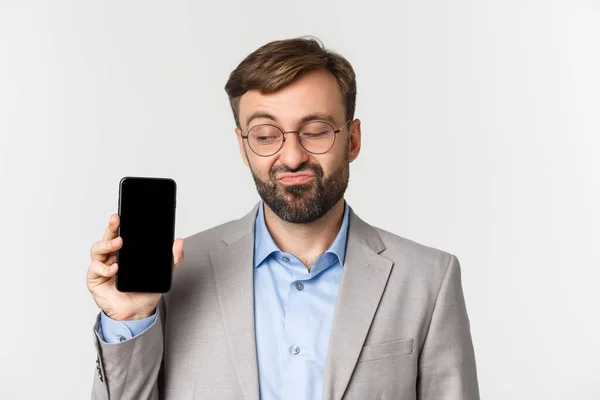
<point x="293" y="311"/>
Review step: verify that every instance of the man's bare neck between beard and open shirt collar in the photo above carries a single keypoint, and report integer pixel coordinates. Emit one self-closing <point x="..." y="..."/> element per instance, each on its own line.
<point x="305" y="241"/>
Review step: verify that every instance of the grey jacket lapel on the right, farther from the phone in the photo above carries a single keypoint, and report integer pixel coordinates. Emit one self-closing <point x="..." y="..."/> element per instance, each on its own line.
<point x="363" y="282"/>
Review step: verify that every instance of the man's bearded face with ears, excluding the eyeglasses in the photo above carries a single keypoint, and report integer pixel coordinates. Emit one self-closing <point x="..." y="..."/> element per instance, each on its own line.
<point x="299" y="186"/>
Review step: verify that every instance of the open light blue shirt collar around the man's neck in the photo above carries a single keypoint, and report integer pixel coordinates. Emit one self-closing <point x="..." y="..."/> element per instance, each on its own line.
<point x="264" y="245"/>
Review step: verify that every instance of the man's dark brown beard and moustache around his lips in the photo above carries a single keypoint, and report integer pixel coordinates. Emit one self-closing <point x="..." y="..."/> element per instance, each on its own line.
<point x="301" y="204"/>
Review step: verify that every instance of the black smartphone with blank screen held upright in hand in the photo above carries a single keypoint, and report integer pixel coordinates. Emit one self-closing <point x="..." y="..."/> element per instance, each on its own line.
<point x="147" y="211"/>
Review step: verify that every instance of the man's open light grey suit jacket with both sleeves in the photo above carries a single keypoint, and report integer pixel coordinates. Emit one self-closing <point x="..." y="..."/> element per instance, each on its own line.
<point x="400" y="329"/>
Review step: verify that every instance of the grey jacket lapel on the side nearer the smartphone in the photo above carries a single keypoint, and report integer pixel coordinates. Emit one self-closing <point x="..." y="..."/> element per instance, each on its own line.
<point x="233" y="270"/>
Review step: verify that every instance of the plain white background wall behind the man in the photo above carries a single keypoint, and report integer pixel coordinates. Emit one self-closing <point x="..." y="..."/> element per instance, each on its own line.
<point x="481" y="136"/>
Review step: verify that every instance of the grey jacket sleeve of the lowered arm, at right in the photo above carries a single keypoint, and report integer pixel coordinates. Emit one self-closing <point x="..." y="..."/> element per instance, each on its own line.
<point x="447" y="367"/>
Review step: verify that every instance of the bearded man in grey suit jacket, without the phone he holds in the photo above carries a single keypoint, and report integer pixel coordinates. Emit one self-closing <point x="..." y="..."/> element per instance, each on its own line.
<point x="299" y="299"/>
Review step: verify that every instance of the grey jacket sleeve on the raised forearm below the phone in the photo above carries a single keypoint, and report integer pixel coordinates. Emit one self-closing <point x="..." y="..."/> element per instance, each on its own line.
<point x="131" y="370"/>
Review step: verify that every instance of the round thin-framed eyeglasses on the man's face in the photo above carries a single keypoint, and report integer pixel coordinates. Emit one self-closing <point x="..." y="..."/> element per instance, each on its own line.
<point x="315" y="137"/>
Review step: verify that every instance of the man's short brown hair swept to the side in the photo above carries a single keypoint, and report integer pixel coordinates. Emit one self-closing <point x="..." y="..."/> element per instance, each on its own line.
<point x="278" y="63"/>
